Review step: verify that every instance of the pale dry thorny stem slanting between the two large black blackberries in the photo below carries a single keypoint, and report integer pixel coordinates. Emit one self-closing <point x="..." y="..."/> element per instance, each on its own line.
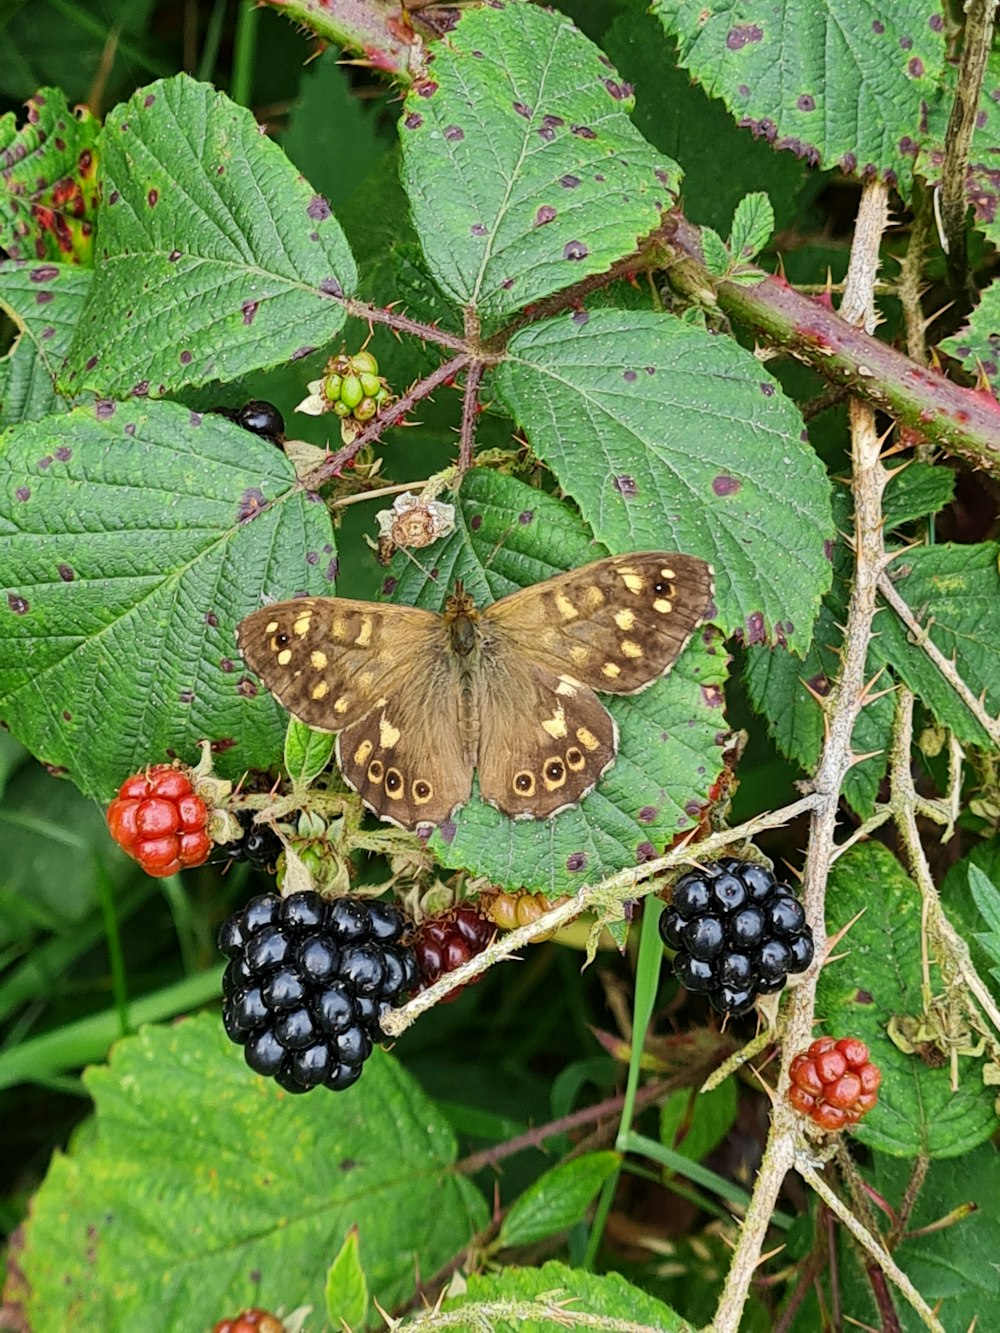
<point x="634" y="882"/>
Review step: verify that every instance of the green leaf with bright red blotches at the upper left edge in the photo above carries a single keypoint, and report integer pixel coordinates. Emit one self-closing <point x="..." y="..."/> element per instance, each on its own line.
<point x="50" y="170"/>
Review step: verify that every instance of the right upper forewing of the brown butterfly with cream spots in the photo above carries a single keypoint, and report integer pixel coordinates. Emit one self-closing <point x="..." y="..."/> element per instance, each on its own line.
<point x="617" y="625"/>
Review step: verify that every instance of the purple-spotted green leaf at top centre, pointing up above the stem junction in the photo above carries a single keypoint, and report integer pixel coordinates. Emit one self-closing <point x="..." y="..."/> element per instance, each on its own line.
<point x="523" y="171"/>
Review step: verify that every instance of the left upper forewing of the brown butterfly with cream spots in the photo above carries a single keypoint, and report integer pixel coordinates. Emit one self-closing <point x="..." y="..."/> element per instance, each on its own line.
<point x="327" y="661"/>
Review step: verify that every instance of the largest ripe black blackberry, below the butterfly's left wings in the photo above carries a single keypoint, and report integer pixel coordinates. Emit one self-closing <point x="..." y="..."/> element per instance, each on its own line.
<point x="309" y="982"/>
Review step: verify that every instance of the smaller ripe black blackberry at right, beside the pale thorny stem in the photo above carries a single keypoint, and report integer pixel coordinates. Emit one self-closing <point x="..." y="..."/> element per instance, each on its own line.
<point x="738" y="934"/>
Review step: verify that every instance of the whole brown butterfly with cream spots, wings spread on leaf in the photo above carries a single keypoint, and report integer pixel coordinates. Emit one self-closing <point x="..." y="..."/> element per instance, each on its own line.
<point x="422" y="700"/>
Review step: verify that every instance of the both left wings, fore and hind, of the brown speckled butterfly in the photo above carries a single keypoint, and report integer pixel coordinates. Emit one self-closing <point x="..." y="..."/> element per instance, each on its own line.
<point x="383" y="676"/>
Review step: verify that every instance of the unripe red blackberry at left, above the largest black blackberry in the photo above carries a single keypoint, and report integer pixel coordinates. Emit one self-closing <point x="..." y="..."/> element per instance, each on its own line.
<point x="161" y="820"/>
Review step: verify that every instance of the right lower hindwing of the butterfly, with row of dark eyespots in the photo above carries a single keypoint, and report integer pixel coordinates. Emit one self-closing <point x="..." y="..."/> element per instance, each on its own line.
<point x="545" y="739"/>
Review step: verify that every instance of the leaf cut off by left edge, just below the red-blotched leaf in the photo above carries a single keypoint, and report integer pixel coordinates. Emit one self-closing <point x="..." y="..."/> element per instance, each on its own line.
<point x="45" y="301"/>
